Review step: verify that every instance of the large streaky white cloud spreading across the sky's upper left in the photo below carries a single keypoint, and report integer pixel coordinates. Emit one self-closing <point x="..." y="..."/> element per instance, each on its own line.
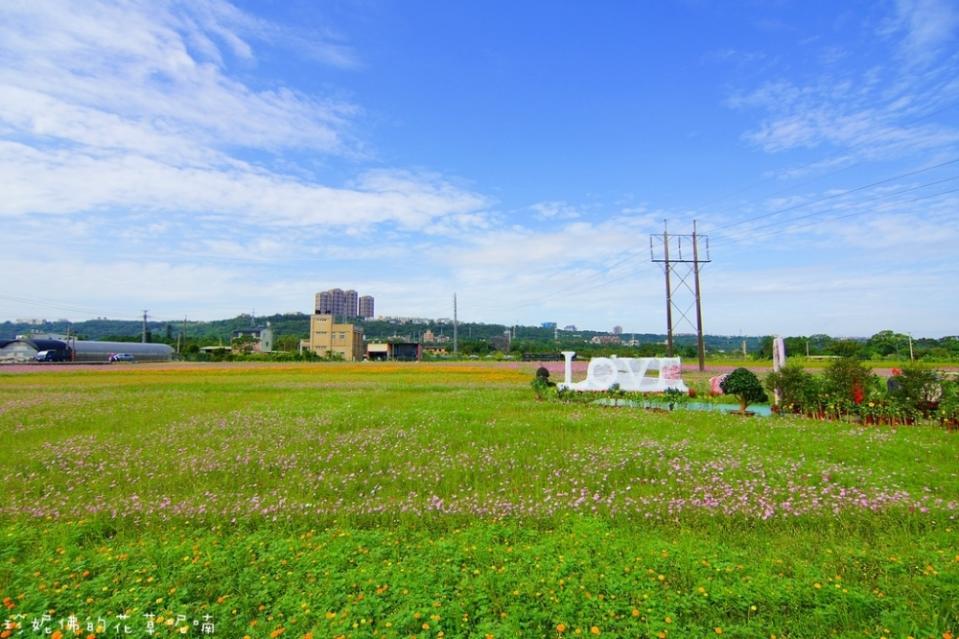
<point x="118" y="107"/>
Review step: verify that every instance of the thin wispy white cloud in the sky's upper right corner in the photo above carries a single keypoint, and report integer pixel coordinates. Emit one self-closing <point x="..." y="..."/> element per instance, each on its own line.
<point x="865" y="109"/>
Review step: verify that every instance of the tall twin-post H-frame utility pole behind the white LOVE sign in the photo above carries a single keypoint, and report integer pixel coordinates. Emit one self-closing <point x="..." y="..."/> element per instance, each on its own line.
<point x="679" y="269"/>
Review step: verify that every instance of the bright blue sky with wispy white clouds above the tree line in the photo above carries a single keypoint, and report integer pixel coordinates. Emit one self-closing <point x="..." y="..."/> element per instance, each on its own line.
<point x="204" y="159"/>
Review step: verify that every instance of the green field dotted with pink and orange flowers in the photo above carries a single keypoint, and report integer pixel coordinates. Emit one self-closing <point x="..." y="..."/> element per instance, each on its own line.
<point x="443" y="500"/>
